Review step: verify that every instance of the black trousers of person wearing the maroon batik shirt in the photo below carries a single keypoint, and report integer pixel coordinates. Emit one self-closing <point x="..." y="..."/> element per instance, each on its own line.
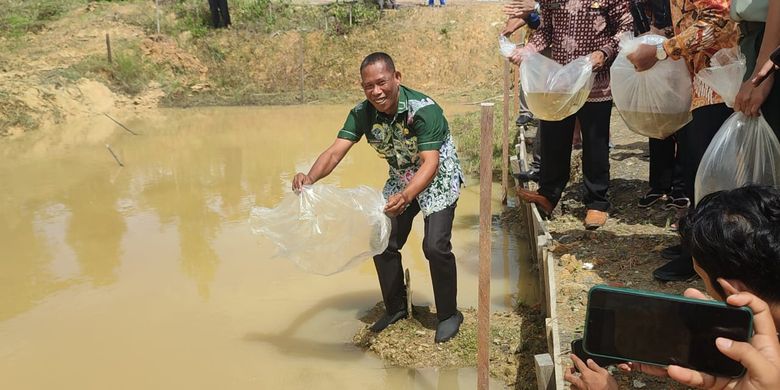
<point x="556" y="155"/>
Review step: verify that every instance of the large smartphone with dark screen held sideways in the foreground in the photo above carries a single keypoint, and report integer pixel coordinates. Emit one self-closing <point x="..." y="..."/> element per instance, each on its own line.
<point x="663" y="329"/>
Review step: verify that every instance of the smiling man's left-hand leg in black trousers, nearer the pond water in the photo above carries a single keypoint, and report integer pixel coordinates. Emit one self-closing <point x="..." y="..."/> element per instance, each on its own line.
<point x="388" y="263"/>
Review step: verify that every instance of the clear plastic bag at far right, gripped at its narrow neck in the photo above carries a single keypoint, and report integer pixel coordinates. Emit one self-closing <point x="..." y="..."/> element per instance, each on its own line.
<point x="745" y="150"/>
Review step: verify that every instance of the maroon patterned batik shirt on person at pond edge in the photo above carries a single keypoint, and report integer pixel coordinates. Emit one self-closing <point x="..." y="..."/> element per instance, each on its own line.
<point x="575" y="28"/>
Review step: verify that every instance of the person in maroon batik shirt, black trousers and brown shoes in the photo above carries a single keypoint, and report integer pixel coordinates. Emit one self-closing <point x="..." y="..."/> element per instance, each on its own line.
<point x="575" y="29"/>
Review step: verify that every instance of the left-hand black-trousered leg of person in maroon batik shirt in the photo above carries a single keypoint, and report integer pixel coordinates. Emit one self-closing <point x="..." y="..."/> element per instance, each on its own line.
<point x="556" y="155"/>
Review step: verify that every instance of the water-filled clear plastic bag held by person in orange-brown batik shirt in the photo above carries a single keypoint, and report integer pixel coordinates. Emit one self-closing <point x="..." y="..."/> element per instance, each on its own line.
<point x="656" y="102"/>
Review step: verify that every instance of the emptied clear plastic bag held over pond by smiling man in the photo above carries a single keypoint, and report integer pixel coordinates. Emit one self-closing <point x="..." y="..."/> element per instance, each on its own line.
<point x="326" y="229"/>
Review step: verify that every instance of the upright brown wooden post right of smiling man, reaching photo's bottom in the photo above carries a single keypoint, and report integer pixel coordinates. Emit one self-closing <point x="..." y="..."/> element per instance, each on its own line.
<point x="485" y="217"/>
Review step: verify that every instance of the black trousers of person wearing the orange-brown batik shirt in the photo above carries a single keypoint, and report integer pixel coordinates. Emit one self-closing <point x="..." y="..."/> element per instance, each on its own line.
<point x="694" y="138"/>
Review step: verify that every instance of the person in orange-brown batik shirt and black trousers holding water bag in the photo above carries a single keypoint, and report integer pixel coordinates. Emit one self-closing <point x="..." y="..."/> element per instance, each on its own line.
<point x="701" y="27"/>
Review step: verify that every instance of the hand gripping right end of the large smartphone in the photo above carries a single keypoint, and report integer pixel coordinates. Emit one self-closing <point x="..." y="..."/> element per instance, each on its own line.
<point x="761" y="356"/>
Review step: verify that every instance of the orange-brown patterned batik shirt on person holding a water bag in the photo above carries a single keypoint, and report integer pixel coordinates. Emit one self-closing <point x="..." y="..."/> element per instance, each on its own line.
<point x="701" y="28"/>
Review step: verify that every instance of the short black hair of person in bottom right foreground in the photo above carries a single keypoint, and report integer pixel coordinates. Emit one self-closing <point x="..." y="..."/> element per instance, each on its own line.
<point x="735" y="234"/>
